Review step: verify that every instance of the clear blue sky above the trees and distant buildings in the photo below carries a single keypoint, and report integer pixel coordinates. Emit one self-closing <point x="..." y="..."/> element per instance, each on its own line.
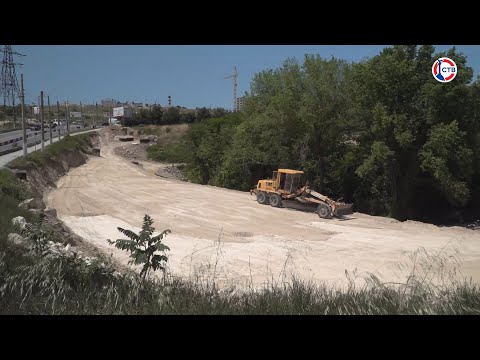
<point x="192" y="75"/>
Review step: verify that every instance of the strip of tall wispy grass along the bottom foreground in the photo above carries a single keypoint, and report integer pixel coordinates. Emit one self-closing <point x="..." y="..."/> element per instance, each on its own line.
<point x="67" y="285"/>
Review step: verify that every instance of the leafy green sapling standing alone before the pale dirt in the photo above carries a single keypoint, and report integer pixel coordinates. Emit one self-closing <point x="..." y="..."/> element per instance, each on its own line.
<point x="143" y="247"/>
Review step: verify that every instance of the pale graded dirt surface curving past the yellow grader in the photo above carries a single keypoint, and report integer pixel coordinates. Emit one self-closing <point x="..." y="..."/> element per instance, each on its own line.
<point x="258" y="243"/>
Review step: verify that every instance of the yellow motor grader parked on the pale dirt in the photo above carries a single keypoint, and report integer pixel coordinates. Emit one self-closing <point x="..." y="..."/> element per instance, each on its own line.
<point x="283" y="189"/>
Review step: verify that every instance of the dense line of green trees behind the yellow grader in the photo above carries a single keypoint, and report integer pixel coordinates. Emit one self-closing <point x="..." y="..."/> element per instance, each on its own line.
<point x="382" y="133"/>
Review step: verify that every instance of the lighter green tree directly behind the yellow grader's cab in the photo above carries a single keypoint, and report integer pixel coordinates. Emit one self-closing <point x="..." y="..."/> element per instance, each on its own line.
<point x="295" y="117"/>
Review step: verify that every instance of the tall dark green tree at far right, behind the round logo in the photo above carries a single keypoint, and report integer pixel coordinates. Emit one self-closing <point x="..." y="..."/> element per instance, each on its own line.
<point x="401" y="105"/>
